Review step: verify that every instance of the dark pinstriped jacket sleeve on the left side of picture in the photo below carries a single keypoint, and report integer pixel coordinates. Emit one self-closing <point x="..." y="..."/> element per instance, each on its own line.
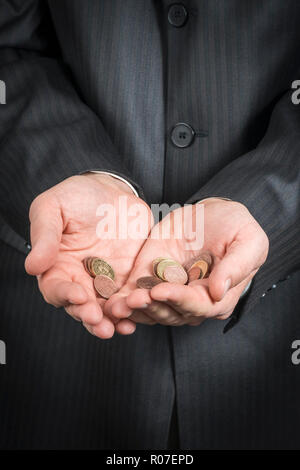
<point x="47" y="133"/>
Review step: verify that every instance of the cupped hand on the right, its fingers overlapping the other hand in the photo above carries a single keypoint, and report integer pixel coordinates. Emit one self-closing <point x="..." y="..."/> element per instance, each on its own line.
<point x="238" y="245"/>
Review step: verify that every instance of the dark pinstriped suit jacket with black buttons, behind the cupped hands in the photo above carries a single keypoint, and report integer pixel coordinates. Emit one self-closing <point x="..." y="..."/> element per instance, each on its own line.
<point x="99" y="84"/>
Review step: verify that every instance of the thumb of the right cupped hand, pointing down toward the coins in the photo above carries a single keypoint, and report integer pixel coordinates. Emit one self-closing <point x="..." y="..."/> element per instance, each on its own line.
<point x="243" y="257"/>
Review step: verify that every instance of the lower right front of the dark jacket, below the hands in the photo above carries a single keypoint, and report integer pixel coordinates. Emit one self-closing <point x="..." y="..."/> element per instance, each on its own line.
<point x="241" y="390"/>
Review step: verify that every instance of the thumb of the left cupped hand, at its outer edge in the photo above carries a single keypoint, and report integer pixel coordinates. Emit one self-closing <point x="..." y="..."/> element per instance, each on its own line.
<point x="45" y="230"/>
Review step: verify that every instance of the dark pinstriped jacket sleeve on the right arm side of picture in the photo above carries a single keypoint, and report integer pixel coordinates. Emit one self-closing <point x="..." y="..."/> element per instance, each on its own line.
<point x="267" y="181"/>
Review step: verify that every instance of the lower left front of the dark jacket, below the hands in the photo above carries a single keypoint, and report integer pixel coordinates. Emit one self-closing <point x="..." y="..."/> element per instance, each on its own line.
<point x="64" y="389"/>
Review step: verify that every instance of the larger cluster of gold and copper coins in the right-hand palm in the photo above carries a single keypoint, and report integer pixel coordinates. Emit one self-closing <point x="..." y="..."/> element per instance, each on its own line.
<point x="169" y="270"/>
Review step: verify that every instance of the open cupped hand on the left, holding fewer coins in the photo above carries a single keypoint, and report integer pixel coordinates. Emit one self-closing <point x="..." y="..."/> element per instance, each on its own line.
<point x="63" y="232"/>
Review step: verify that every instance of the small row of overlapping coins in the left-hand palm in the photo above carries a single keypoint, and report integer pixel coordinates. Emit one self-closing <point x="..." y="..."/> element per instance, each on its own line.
<point x="103" y="275"/>
